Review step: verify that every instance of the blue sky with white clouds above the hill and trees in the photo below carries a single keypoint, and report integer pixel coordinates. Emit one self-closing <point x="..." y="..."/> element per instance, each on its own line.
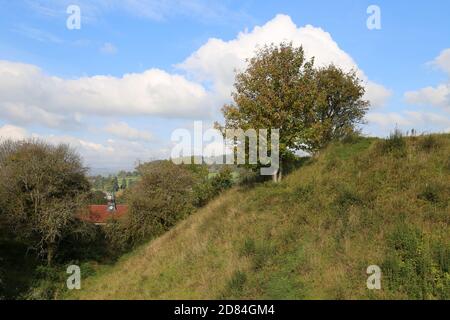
<point x="118" y="85"/>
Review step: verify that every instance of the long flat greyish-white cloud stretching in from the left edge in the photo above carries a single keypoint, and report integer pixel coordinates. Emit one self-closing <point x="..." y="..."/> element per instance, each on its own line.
<point x="27" y="94"/>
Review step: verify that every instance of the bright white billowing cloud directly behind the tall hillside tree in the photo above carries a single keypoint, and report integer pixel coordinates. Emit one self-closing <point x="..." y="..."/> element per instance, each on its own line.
<point x="216" y="60"/>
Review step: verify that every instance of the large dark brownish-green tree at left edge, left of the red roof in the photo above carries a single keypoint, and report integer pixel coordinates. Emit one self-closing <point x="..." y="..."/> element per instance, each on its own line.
<point x="41" y="192"/>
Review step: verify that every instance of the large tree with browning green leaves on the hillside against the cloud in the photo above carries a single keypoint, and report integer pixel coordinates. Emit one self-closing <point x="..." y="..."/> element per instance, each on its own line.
<point x="281" y="89"/>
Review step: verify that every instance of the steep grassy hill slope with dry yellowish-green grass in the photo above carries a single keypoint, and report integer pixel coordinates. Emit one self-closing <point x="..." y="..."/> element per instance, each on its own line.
<point x="312" y="236"/>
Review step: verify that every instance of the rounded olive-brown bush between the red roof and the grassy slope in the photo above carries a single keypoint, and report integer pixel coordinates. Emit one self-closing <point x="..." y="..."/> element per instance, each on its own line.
<point x="166" y="194"/>
